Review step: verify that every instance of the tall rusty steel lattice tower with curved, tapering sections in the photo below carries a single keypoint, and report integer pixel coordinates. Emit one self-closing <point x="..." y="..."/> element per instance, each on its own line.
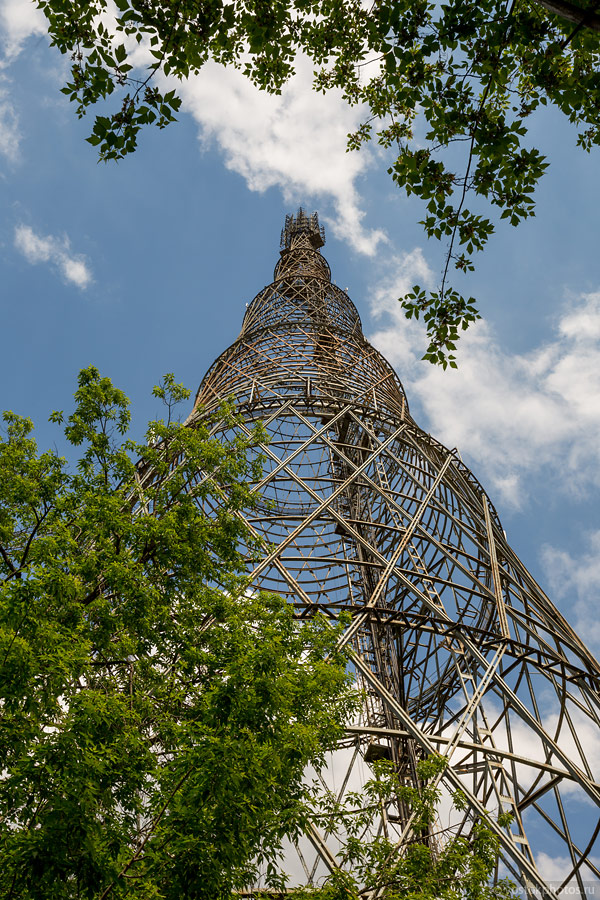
<point x="457" y="648"/>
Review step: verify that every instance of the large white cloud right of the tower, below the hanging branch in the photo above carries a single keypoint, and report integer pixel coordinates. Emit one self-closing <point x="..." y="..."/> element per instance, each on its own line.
<point x="515" y="415"/>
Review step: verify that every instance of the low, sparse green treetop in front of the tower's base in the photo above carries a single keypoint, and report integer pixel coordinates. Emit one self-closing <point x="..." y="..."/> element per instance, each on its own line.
<point x="432" y="864"/>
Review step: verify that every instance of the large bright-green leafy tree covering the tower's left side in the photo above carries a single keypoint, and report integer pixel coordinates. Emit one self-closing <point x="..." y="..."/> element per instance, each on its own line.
<point x="156" y="716"/>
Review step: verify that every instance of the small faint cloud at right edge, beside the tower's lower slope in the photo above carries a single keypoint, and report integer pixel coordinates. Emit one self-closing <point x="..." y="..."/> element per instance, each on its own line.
<point x="576" y="580"/>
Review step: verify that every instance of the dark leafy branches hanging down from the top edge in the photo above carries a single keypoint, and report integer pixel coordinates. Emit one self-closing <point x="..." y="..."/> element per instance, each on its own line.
<point x="449" y="88"/>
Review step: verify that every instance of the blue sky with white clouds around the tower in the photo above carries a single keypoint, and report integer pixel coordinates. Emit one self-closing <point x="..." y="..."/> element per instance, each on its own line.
<point x="145" y="267"/>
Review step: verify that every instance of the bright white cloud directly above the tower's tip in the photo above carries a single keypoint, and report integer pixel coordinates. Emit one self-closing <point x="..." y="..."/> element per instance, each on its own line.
<point x="295" y="141"/>
